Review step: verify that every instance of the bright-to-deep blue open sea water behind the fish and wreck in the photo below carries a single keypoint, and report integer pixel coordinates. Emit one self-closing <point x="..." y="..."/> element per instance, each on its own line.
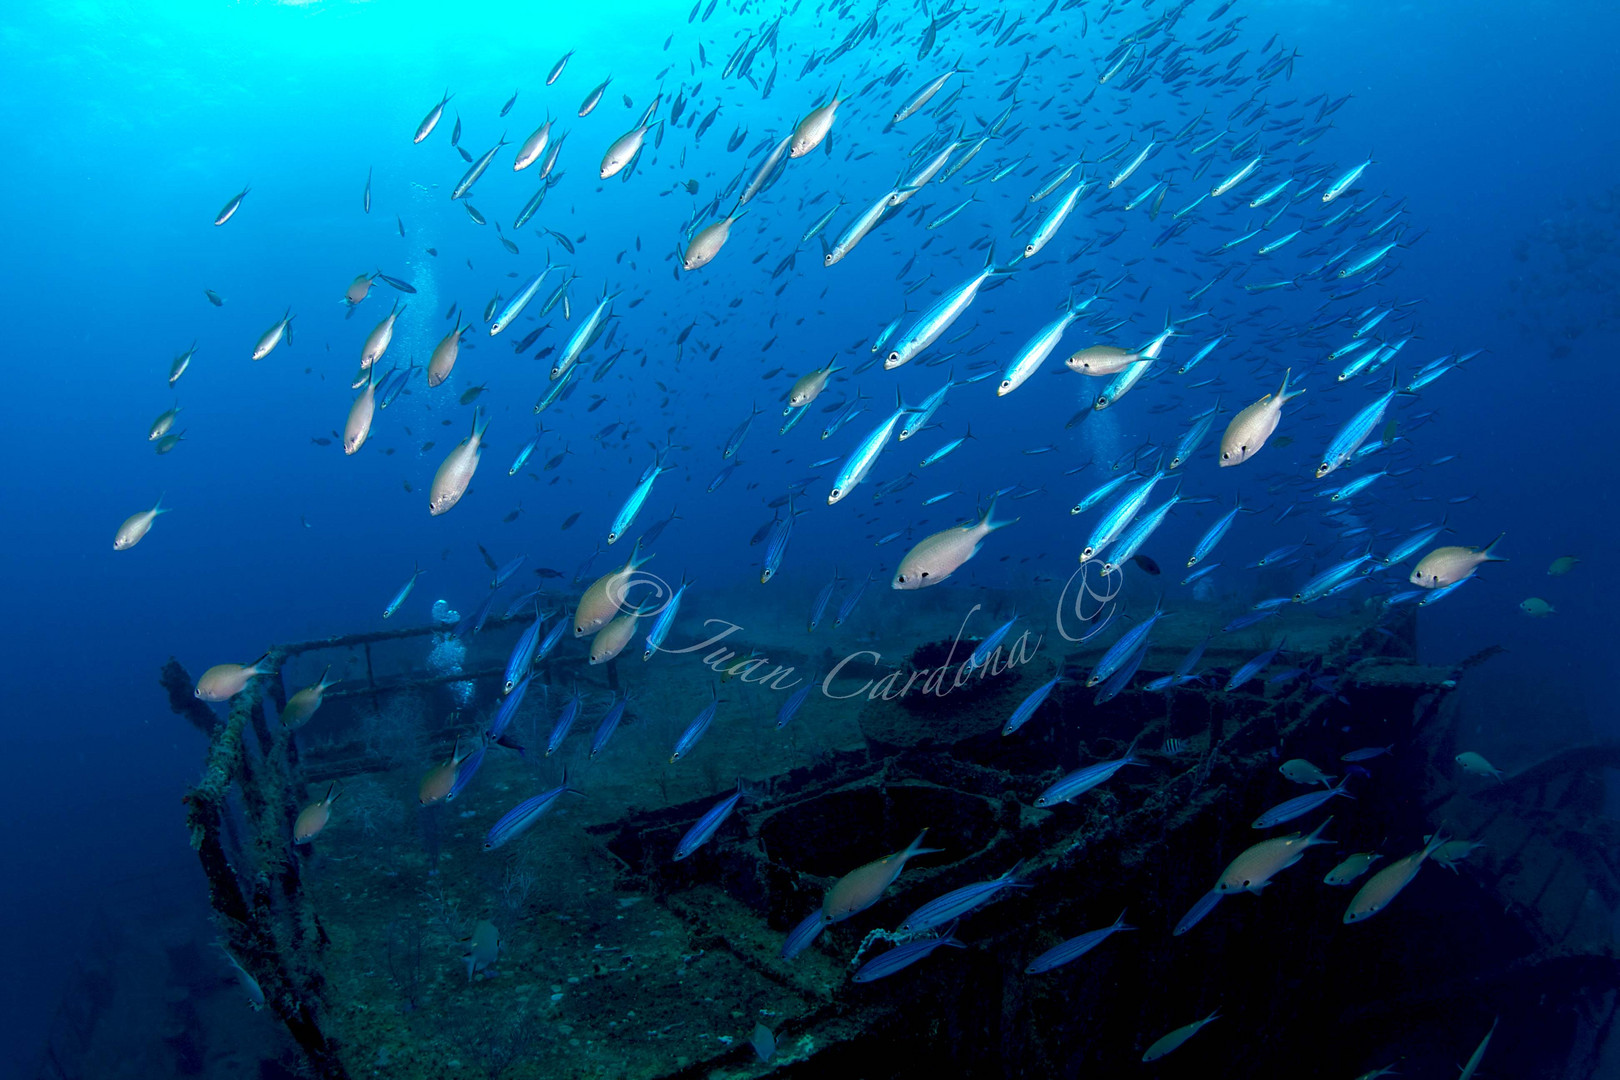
<point x="130" y="125"/>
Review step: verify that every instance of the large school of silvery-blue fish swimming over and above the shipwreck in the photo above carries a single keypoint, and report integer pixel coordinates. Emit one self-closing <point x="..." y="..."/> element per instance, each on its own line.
<point x="1143" y="174"/>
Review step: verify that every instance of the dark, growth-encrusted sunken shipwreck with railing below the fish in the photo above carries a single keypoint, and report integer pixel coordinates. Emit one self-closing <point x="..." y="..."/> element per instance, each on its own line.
<point x="618" y="959"/>
